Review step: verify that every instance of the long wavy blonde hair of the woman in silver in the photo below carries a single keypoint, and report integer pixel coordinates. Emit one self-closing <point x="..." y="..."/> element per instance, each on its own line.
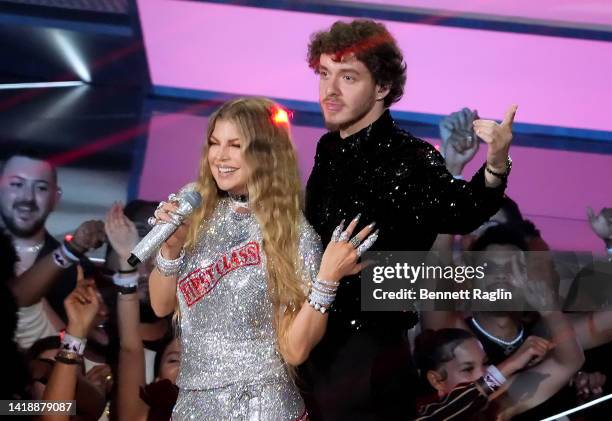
<point x="274" y="195"/>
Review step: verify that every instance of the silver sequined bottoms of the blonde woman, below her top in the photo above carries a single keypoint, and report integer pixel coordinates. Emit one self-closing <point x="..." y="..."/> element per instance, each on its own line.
<point x="275" y="401"/>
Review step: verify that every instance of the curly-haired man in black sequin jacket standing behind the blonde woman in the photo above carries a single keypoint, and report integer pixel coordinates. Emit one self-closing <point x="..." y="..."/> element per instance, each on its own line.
<point x="362" y="370"/>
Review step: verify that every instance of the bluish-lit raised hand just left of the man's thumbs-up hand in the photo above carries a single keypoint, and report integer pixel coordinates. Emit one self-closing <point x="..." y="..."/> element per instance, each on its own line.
<point x="459" y="141"/>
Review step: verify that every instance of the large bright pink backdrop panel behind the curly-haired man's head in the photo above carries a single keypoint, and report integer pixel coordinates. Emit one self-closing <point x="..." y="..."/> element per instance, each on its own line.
<point x="251" y="51"/>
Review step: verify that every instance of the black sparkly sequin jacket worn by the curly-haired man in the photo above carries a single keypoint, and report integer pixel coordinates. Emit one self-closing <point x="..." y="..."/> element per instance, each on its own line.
<point x="399" y="181"/>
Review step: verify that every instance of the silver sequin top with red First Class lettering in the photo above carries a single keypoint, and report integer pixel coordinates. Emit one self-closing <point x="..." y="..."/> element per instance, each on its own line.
<point x="227" y="334"/>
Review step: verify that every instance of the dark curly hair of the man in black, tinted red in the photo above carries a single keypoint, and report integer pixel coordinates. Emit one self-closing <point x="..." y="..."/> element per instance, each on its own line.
<point x="371" y="44"/>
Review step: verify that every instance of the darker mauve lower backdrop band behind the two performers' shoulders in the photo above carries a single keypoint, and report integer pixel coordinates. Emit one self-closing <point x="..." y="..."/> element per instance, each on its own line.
<point x="552" y="187"/>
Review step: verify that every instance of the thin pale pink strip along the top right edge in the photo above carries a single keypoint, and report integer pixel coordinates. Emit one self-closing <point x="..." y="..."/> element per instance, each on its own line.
<point x="598" y="12"/>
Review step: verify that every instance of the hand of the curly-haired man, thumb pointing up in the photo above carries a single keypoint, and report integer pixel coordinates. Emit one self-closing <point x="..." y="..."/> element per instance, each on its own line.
<point x="498" y="137"/>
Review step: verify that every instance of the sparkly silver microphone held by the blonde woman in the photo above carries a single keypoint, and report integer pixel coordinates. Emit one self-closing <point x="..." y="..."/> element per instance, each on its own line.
<point x="188" y="201"/>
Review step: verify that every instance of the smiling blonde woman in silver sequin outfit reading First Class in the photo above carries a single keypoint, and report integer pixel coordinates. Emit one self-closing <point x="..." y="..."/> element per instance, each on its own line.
<point x="241" y="268"/>
